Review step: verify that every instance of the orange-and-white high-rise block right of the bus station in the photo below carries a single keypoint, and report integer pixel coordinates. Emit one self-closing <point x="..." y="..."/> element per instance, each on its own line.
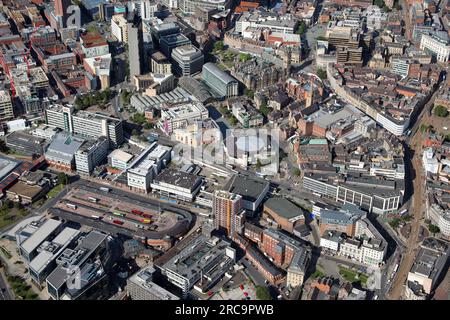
<point x="227" y="212"/>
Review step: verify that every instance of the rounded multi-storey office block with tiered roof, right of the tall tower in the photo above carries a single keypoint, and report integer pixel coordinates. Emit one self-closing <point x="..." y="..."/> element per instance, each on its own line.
<point x="188" y="60"/>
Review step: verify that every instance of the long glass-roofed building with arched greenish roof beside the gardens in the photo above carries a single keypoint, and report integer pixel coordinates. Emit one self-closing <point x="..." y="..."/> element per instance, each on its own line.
<point x="221" y="83"/>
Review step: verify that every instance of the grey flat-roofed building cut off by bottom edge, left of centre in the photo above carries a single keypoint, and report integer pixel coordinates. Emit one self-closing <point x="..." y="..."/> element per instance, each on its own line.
<point x="141" y="287"/>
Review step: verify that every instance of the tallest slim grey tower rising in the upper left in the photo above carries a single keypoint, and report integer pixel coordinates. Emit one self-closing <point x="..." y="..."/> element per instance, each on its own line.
<point x="135" y="49"/>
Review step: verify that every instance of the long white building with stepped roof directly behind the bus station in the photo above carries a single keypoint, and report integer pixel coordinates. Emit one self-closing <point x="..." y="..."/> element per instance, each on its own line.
<point x="146" y="166"/>
